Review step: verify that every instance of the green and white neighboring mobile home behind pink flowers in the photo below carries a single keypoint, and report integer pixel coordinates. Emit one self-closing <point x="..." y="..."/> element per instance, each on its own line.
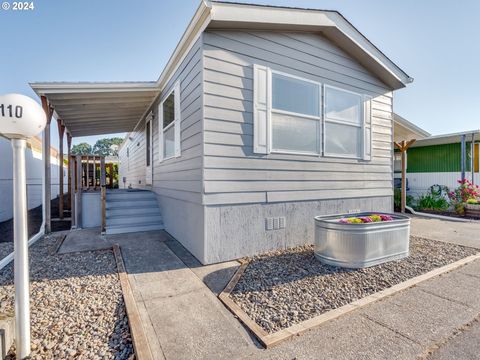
<point x="442" y="160"/>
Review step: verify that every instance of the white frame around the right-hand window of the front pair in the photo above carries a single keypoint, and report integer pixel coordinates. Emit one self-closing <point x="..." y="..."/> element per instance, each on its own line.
<point x="343" y="122"/>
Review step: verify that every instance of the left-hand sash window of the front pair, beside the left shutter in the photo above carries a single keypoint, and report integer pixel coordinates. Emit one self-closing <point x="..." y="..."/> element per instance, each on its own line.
<point x="295" y="115"/>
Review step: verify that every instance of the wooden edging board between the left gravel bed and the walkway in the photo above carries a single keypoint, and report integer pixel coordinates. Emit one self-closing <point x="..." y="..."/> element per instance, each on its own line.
<point x="139" y="338"/>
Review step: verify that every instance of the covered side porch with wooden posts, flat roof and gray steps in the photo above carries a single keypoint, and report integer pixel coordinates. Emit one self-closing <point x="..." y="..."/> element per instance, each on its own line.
<point x="86" y="109"/>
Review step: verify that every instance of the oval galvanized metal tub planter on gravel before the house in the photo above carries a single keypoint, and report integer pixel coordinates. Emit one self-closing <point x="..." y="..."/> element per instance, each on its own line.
<point x="360" y="245"/>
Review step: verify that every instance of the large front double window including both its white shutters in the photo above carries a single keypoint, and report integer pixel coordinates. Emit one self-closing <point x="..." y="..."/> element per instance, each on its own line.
<point x="300" y="116"/>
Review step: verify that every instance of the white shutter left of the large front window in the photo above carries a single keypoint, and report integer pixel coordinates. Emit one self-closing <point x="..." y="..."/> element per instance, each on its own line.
<point x="260" y="109"/>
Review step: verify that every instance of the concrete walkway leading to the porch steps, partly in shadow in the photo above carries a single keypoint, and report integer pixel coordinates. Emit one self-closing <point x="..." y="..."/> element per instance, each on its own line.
<point x="183" y="319"/>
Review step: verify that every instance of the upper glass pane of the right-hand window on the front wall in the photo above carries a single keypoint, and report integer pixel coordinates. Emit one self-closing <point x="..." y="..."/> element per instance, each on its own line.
<point x="342" y="105"/>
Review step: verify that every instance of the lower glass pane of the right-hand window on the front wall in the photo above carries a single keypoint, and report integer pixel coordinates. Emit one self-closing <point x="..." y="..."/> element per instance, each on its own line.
<point x="342" y="139"/>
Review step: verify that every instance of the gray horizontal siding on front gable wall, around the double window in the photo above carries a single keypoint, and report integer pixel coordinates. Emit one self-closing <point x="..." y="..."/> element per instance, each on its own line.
<point x="233" y="173"/>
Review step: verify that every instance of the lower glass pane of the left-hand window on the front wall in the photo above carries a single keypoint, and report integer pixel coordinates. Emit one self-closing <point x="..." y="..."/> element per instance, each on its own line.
<point x="294" y="133"/>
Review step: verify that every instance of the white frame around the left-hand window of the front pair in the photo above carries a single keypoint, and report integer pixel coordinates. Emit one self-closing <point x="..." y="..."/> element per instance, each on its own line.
<point x="318" y="118"/>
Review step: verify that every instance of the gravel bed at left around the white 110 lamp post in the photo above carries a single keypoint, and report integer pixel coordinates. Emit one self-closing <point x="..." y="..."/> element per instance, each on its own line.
<point x="77" y="308"/>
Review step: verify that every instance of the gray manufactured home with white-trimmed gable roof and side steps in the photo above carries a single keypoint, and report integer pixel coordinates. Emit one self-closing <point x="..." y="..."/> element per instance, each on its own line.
<point x="263" y="118"/>
